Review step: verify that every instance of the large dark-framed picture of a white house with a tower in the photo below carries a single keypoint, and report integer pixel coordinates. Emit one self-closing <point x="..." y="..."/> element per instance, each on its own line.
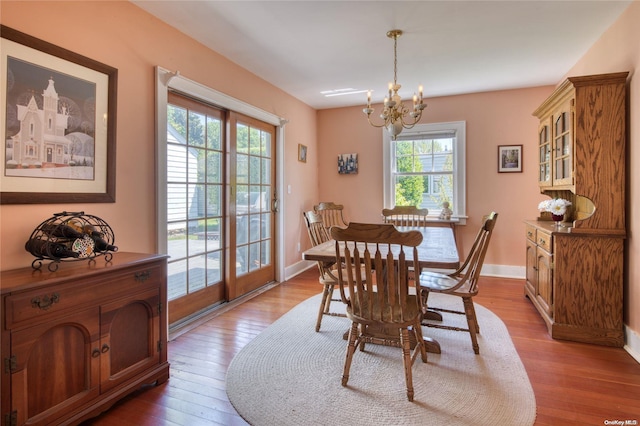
<point x="59" y="132"/>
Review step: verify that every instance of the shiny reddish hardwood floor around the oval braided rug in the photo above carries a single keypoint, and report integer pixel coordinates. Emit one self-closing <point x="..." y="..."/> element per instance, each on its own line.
<point x="574" y="383"/>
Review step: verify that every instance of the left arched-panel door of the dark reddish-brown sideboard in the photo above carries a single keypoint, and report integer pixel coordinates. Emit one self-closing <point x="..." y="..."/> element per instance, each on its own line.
<point x="56" y="367"/>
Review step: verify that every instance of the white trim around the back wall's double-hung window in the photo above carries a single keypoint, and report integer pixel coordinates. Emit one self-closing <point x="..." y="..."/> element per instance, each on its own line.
<point x="459" y="161"/>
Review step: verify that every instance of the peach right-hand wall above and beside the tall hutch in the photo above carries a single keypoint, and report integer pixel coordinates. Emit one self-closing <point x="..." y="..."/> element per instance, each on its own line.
<point x="619" y="50"/>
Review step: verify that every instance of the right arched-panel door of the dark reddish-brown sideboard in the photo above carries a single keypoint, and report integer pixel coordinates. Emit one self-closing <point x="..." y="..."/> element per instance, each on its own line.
<point x="130" y="337"/>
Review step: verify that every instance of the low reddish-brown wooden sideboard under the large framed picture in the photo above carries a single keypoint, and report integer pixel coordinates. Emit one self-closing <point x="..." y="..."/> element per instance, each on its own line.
<point x="77" y="340"/>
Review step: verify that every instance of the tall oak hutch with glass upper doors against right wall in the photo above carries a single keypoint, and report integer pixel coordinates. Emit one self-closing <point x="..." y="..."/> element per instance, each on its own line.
<point x="575" y="272"/>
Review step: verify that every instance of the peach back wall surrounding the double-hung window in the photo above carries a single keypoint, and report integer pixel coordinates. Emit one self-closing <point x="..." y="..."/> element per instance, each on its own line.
<point x="492" y="119"/>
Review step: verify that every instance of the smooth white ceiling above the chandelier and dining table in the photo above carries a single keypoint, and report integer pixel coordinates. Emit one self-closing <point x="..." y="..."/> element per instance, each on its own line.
<point x="450" y="47"/>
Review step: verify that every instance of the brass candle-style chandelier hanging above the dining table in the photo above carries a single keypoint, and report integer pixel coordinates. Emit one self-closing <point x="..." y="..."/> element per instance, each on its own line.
<point x="396" y="115"/>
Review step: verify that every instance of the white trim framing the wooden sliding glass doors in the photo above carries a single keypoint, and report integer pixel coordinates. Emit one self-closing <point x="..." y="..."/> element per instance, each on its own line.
<point x="166" y="80"/>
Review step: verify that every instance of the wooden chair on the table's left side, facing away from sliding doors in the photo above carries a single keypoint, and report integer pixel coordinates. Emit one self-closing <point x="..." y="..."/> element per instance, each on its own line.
<point x="318" y="234"/>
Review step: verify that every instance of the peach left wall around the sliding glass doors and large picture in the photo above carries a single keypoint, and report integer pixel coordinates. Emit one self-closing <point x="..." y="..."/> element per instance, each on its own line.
<point x="123" y="36"/>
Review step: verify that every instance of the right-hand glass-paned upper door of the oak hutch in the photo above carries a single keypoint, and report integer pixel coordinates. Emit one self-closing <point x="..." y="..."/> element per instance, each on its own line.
<point x="563" y="147"/>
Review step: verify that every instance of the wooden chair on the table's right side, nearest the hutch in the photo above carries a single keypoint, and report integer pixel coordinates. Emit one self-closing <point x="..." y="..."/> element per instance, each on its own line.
<point x="462" y="283"/>
